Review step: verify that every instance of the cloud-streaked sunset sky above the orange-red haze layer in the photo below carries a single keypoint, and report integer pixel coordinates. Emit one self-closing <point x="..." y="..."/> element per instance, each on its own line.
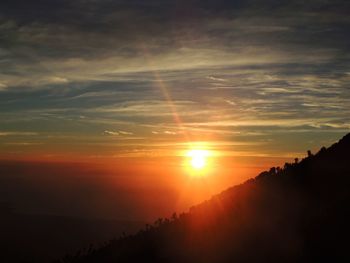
<point x="255" y="82"/>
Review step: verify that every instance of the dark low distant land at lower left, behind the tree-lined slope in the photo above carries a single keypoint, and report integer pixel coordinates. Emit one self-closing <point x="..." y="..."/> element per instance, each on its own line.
<point x="43" y="238"/>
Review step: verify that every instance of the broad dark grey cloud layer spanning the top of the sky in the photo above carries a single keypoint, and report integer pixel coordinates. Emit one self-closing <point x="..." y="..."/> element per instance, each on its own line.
<point x="219" y="35"/>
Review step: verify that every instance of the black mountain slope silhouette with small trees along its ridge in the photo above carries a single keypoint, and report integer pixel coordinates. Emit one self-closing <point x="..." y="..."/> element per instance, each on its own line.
<point x="298" y="213"/>
